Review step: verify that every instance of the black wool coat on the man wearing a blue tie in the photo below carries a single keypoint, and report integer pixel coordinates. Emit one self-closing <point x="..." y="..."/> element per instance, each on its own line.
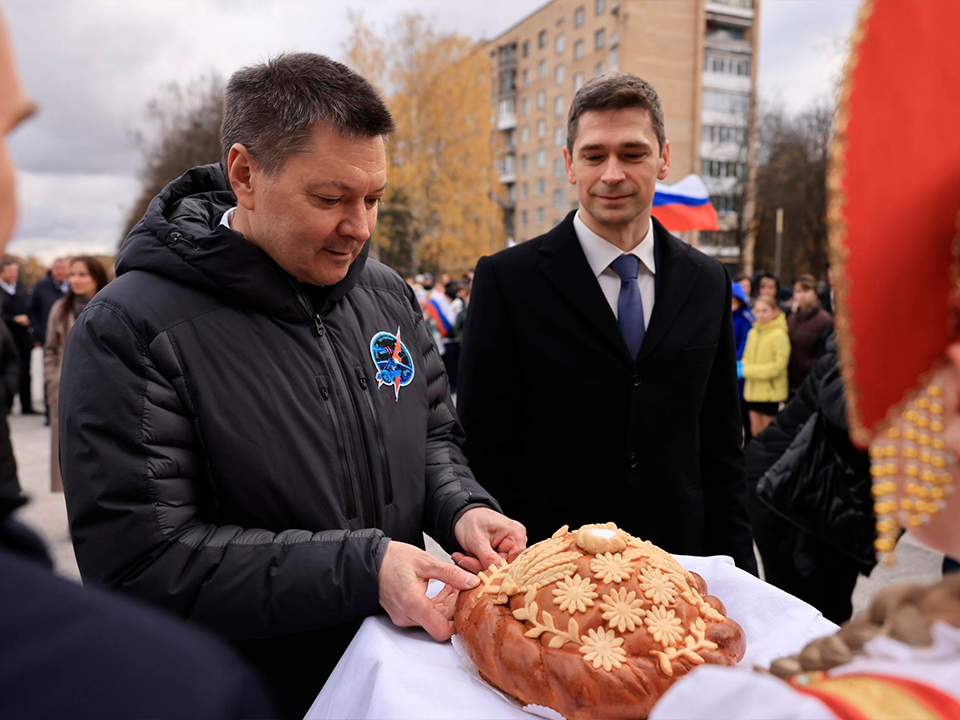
<point x="564" y="427"/>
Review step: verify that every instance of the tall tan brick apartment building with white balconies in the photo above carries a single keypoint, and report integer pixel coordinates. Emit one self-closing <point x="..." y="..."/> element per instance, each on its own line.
<point x="698" y="54"/>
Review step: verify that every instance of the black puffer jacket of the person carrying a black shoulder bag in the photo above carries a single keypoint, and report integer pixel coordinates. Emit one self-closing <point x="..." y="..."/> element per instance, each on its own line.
<point x="772" y="457"/>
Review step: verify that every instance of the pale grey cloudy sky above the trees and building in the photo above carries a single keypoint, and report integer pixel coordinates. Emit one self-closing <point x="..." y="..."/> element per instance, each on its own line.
<point x="93" y="65"/>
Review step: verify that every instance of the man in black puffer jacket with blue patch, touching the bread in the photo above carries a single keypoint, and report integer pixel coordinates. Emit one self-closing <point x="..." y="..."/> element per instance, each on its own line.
<point x="256" y="424"/>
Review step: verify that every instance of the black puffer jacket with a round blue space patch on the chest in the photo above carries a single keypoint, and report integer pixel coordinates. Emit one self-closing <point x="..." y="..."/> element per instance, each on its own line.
<point x="226" y="450"/>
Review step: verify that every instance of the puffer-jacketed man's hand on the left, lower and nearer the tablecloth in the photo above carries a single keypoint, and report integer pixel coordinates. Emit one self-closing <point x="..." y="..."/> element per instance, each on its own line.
<point x="404" y="574"/>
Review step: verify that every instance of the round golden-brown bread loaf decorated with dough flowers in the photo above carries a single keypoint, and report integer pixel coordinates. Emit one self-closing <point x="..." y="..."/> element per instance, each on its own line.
<point x="594" y="624"/>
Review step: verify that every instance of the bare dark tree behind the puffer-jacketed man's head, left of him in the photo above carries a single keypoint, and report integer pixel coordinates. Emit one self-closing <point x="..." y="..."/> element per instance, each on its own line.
<point x="183" y="130"/>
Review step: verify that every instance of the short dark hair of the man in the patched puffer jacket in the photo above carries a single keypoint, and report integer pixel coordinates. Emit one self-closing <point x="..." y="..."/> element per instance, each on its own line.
<point x="270" y="108"/>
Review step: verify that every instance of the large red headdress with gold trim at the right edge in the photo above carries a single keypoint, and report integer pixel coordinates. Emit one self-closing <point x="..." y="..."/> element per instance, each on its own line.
<point x="894" y="204"/>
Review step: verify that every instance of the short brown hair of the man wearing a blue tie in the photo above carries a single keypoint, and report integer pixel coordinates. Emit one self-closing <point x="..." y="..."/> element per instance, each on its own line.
<point x="615" y="91"/>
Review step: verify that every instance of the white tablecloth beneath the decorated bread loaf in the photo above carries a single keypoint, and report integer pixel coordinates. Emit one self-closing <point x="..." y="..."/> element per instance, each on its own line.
<point x="390" y="673"/>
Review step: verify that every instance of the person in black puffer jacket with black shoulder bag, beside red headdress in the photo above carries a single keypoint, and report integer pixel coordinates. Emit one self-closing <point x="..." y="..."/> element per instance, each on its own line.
<point x="820" y="570"/>
